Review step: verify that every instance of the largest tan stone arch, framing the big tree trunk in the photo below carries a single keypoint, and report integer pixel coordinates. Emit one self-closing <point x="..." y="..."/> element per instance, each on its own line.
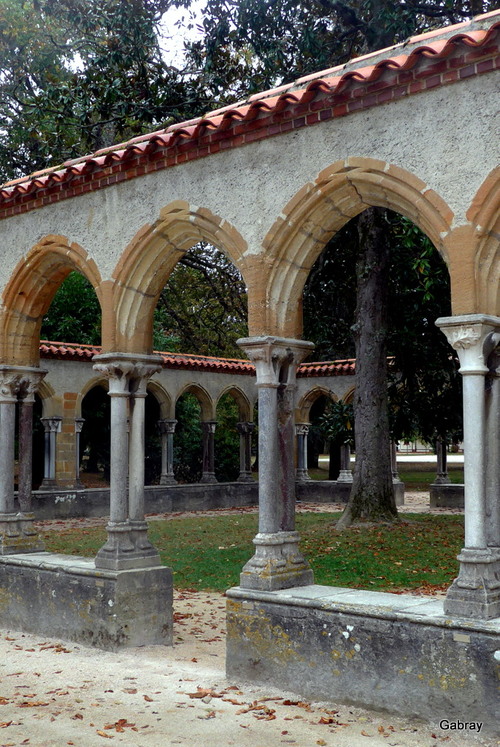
<point x="319" y="210"/>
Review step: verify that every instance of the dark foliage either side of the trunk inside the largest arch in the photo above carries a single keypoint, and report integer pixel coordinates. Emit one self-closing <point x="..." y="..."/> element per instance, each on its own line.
<point x="425" y="386"/>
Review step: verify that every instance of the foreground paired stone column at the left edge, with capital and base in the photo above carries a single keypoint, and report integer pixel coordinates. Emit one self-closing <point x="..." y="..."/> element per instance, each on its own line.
<point x="16" y="529"/>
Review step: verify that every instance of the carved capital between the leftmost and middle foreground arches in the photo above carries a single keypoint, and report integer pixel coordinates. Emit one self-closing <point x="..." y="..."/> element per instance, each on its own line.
<point x="127" y="373"/>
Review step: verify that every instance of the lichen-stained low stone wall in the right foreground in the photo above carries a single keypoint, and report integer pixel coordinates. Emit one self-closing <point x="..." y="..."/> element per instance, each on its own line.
<point x="391" y="652"/>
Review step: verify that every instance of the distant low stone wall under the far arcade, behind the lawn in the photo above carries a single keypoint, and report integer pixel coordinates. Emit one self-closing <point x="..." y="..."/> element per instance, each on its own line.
<point x="94" y="502"/>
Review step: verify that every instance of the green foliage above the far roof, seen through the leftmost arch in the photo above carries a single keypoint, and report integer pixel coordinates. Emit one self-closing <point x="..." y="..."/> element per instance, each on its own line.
<point x="75" y="313"/>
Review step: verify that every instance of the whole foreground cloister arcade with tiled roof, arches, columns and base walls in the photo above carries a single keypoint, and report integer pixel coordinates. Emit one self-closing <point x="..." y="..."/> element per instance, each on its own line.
<point x="268" y="181"/>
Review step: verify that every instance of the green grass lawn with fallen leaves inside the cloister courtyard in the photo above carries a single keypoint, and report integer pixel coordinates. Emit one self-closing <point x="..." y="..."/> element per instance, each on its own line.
<point x="208" y="552"/>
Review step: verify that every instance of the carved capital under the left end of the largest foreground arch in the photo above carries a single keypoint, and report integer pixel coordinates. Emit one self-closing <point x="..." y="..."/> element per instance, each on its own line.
<point x="275" y="358"/>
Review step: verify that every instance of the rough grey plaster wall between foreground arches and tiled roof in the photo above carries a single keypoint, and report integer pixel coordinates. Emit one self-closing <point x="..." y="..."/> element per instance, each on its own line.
<point x="445" y="136"/>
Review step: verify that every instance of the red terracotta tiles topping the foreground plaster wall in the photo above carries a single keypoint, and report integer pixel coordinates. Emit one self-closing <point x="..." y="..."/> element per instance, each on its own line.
<point x="360" y="71"/>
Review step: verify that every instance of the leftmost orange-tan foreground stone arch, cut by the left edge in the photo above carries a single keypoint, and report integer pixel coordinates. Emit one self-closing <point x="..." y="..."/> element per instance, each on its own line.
<point x="30" y="291"/>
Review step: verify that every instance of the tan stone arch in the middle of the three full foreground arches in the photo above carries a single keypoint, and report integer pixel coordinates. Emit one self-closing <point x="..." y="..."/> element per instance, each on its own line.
<point x="147" y="262"/>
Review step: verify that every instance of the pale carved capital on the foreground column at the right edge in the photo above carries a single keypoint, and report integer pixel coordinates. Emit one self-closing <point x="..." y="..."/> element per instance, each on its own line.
<point x="474" y="337"/>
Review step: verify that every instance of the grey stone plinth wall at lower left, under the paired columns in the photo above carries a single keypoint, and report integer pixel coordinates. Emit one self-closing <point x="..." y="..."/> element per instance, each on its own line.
<point x="66" y="597"/>
